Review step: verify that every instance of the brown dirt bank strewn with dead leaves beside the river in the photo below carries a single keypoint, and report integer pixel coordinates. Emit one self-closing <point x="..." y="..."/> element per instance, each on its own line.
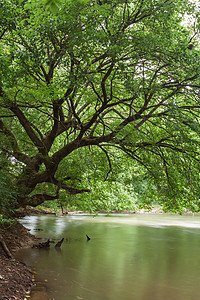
<point x="16" y="279"/>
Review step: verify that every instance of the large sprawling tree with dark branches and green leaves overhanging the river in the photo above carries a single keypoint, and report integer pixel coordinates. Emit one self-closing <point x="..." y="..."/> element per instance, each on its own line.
<point x="101" y="74"/>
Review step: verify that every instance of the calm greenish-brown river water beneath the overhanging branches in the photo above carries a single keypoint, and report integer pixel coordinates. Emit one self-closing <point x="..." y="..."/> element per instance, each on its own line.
<point x="129" y="257"/>
